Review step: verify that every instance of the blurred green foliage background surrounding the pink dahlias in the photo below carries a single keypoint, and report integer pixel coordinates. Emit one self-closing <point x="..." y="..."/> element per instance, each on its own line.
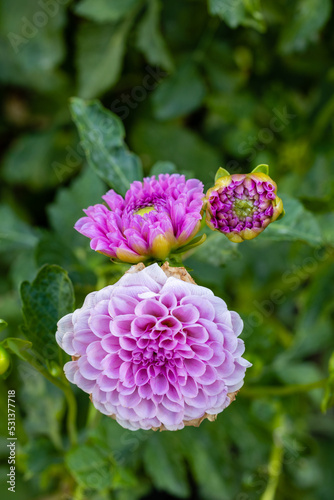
<point x="199" y="85"/>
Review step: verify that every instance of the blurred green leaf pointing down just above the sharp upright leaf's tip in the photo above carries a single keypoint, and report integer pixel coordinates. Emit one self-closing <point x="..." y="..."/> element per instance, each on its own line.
<point x="100" y="53"/>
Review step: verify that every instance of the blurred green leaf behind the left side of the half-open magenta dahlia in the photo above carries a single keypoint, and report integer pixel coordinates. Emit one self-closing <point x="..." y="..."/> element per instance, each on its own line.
<point x="69" y="203"/>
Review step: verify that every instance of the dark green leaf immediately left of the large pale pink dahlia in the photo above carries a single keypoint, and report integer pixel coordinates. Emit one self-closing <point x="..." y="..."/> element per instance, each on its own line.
<point x="47" y="299"/>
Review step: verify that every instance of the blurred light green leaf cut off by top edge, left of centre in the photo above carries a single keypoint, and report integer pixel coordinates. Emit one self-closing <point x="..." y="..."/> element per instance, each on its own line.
<point x="103" y="11"/>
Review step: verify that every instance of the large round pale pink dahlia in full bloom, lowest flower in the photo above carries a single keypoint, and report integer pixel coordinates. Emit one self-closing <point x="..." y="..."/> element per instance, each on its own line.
<point x="155" y="351"/>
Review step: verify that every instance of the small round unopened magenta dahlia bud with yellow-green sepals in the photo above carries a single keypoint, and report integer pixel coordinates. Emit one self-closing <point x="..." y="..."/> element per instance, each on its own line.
<point x="242" y="205"/>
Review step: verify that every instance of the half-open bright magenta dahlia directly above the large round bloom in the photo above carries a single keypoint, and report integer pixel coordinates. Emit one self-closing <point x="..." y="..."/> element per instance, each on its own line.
<point x="156" y="217"/>
